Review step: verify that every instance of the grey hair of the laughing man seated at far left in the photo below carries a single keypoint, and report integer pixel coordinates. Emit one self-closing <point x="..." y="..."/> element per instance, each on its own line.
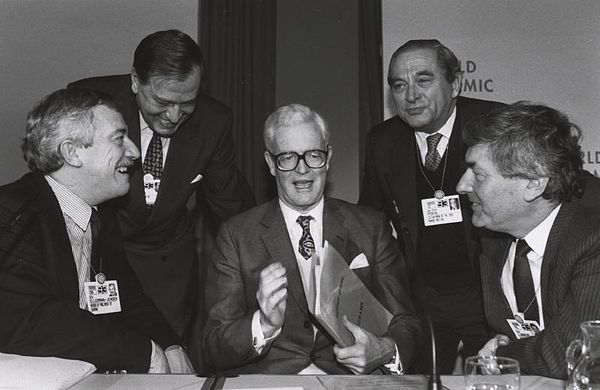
<point x="63" y="115"/>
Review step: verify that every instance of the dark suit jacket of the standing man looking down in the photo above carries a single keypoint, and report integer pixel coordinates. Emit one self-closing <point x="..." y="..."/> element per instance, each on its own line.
<point x="160" y="243"/>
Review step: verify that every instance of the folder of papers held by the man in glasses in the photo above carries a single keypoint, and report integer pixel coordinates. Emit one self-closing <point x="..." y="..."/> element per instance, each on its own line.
<point x="340" y="292"/>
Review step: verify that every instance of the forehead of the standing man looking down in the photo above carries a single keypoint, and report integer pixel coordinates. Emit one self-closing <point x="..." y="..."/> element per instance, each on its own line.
<point x="171" y="89"/>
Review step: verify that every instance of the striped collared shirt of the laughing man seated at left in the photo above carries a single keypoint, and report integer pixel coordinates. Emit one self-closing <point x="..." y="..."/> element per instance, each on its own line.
<point x="76" y="213"/>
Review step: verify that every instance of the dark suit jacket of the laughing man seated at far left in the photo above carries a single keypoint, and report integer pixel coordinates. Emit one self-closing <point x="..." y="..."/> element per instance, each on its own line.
<point x="39" y="290"/>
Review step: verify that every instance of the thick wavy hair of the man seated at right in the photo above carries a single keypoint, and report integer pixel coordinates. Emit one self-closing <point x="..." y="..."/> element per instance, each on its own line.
<point x="530" y="141"/>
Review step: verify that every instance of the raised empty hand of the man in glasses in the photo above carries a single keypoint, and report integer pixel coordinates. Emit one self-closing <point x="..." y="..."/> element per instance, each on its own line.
<point x="271" y="297"/>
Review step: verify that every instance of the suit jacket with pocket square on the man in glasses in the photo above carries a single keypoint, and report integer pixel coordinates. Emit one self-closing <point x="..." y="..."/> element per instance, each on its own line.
<point x="248" y="243"/>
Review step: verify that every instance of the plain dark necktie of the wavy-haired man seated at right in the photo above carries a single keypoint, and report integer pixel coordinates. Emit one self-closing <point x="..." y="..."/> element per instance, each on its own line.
<point x="523" y="283"/>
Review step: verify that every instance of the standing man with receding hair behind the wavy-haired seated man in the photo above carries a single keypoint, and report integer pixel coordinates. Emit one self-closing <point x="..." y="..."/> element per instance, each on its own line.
<point x="413" y="162"/>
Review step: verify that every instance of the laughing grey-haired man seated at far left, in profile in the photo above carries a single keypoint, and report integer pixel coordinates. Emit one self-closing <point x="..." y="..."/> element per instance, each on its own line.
<point x="59" y="249"/>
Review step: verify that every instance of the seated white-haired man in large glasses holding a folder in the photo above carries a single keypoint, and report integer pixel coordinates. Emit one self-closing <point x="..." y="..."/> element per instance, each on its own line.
<point x="259" y="278"/>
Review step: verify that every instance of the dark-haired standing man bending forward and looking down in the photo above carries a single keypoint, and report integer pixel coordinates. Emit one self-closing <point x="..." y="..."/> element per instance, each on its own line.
<point x="187" y="148"/>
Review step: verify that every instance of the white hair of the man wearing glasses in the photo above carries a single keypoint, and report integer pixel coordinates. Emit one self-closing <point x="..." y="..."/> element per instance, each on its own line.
<point x="290" y="115"/>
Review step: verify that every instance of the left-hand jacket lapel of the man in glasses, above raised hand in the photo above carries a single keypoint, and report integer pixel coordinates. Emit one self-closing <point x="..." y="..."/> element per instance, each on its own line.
<point x="277" y="241"/>
